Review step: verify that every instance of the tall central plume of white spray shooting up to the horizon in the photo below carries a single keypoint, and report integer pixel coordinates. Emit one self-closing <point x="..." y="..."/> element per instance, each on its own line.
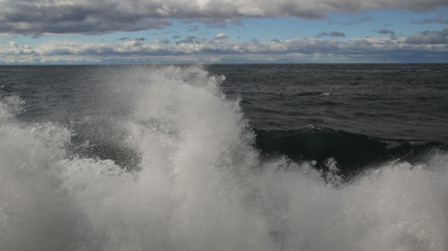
<point x="187" y="194"/>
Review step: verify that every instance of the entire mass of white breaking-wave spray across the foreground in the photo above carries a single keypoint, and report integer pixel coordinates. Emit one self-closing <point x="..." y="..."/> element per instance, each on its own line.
<point x="197" y="181"/>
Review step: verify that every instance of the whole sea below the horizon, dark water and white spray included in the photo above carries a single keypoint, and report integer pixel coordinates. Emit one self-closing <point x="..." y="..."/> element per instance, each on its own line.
<point x="224" y="157"/>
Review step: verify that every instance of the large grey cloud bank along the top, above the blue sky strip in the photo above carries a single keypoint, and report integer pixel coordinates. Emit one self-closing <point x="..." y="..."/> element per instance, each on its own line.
<point x="87" y="16"/>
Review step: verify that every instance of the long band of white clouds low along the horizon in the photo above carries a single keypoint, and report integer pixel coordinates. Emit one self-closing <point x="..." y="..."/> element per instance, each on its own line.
<point x="206" y="51"/>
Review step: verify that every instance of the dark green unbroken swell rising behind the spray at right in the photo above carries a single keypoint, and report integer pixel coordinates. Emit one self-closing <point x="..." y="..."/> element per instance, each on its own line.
<point x="352" y="152"/>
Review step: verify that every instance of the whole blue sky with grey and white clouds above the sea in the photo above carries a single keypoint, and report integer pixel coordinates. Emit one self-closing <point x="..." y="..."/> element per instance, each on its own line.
<point x="222" y="31"/>
